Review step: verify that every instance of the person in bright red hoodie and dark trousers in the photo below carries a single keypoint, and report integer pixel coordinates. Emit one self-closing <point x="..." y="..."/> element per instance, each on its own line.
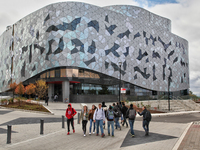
<point x="70" y="113"/>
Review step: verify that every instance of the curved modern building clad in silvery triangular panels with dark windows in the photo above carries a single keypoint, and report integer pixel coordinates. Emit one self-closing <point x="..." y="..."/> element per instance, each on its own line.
<point x="78" y="48"/>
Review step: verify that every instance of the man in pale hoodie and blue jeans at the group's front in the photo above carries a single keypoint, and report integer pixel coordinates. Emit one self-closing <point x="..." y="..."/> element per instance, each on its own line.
<point x="99" y="119"/>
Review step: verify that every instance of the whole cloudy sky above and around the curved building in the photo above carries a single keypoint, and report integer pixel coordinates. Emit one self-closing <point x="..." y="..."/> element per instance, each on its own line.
<point x="184" y="16"/>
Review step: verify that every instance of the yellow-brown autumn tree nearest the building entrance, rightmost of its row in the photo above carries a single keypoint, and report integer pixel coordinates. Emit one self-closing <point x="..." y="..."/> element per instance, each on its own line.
<point x="41" y="88"/>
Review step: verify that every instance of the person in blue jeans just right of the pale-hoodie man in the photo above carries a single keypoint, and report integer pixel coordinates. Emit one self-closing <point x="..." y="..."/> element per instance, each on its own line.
<point x="110" y="119"/>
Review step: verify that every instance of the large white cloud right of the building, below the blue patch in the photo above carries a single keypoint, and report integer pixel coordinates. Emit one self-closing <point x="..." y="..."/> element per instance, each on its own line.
<point x="185" y="21"/>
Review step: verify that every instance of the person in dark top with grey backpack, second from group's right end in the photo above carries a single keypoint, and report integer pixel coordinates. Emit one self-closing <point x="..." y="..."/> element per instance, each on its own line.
<point x="131" y="113"/>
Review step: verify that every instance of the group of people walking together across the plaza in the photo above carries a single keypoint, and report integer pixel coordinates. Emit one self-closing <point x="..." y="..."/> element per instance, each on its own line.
<point x="98" y="115"/>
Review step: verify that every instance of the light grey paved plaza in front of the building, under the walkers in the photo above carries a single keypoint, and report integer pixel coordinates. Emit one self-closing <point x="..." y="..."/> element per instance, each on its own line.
<point x="172" y="131"/>
